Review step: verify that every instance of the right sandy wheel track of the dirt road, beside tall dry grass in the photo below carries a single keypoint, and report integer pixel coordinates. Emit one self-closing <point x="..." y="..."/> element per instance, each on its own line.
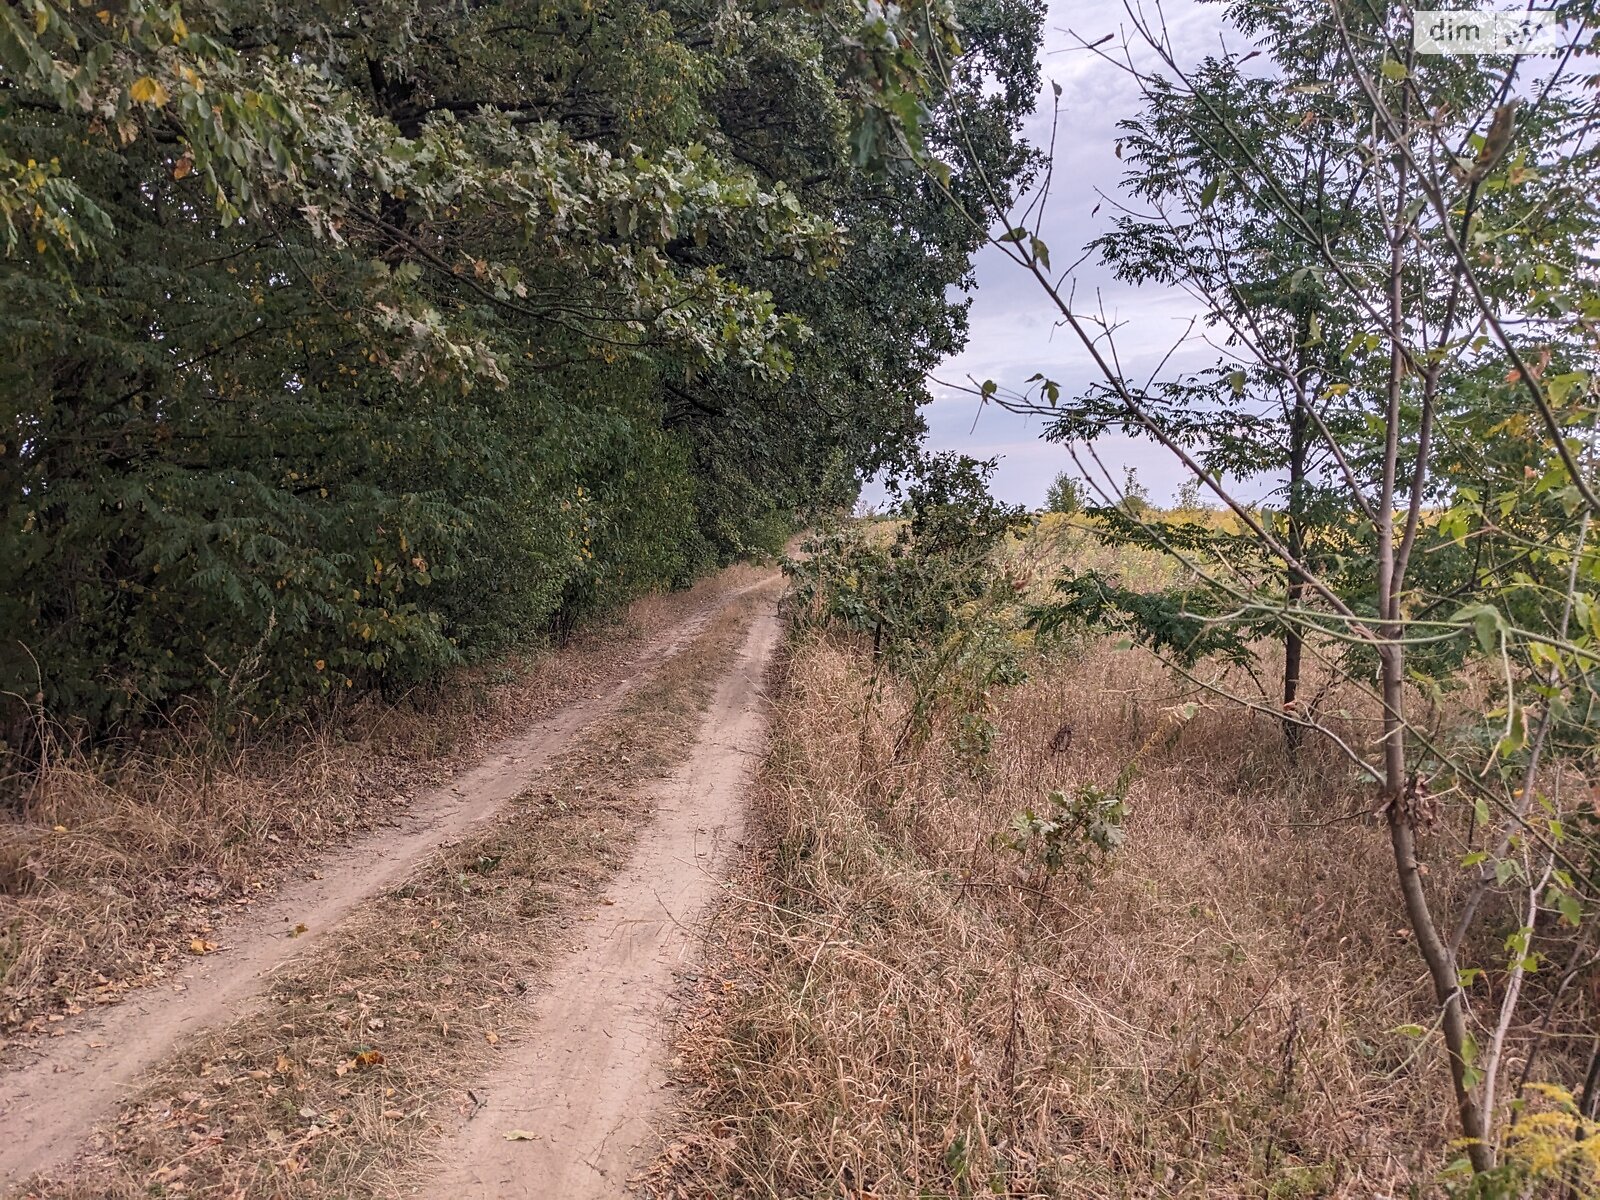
<point x="588" y="1081"/>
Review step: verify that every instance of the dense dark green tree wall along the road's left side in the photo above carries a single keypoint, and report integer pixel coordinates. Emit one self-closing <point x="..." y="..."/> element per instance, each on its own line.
<point x="342" y="345"/>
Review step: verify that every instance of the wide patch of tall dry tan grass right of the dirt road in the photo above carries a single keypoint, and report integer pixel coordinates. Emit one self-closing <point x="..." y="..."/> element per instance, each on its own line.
<point x="1210" y="1015"/>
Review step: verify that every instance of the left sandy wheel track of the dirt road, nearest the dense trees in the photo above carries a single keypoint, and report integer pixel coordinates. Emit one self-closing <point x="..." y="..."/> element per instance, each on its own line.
<point x="50" y="1105"/>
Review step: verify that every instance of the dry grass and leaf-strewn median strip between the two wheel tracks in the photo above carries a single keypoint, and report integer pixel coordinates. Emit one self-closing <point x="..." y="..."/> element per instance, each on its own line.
<point x="364" y="1054"/>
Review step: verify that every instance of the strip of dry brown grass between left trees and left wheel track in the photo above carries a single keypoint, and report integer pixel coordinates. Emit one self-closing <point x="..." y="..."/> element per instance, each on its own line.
<point x="116" y="860"/>
